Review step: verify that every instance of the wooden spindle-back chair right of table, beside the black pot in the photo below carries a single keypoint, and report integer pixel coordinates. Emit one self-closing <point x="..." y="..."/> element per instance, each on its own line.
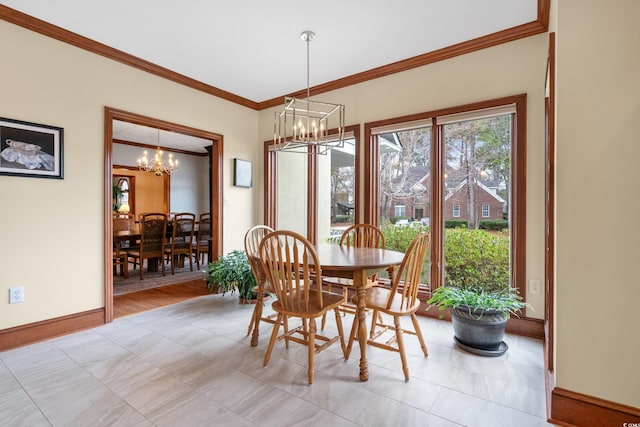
<point x="400" y="300"/>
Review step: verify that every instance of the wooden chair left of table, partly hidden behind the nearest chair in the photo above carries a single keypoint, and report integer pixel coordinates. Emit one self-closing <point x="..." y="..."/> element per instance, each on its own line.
<point x="252" y="239"/>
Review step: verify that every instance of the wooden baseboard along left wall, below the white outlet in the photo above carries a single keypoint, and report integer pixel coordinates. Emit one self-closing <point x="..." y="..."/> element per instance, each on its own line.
<point x="51" y="328"/>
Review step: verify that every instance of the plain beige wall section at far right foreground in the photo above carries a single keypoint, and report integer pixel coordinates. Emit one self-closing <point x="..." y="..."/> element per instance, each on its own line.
<point x="598" y="152"/>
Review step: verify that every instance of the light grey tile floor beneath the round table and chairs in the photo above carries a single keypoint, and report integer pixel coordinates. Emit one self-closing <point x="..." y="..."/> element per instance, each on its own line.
<point x="191" y="364"/>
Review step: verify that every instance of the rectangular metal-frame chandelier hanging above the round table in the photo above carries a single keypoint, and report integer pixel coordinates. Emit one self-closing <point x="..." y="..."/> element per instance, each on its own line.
<point x="303" y="125"/>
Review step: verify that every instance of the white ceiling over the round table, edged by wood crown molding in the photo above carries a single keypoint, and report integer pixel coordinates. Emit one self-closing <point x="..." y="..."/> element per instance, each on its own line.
<point x="253" y="49"/>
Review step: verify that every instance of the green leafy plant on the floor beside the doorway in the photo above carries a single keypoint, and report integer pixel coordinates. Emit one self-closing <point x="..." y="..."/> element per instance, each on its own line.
<point x="231" y="273"/>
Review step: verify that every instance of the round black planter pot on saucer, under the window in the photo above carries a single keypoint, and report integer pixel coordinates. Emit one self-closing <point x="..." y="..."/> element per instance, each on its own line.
<point x="479" y="333"/>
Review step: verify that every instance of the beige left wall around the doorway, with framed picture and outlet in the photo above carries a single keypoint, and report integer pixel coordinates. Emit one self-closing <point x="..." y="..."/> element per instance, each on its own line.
<point x="52" y="235"/>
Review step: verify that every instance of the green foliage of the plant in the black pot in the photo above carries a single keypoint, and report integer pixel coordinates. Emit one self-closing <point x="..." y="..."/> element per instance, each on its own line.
<point x="477" y="301"/>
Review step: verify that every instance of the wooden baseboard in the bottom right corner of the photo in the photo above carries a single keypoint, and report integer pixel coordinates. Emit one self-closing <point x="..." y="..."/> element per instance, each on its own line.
<point x="569" y="408"/>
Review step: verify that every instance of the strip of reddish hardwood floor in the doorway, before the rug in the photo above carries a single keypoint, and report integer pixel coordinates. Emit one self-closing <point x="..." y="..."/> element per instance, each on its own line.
<point x="136" y="302"/>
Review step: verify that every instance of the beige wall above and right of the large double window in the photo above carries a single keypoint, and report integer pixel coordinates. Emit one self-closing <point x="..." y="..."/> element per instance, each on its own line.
<point x="509" y="69"/>
